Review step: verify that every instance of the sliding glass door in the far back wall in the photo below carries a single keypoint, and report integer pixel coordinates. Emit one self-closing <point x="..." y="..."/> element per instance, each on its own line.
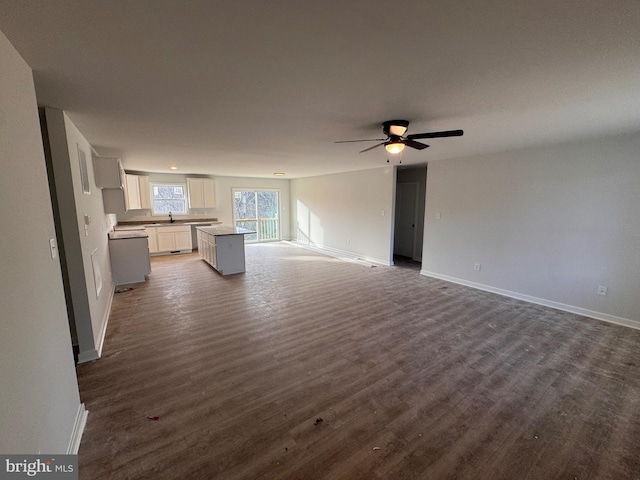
<point x="257" y="210"/>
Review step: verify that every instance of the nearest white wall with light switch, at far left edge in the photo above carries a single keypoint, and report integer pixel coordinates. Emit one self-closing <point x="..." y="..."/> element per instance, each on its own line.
<point x="39" y="399"/>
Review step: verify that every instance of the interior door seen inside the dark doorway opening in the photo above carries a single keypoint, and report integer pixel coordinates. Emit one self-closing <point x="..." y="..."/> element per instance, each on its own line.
<point x="405" y="226"/>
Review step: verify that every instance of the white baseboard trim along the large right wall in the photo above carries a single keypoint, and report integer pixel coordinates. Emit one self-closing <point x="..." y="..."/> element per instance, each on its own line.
<point x="605" y="317"/>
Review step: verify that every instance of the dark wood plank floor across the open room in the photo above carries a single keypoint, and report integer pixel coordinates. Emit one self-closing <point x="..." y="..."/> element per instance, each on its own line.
<point x="307" y="367"/>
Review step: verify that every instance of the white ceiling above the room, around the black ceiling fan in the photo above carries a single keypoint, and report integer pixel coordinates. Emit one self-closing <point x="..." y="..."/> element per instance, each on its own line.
<point x="254" y="87"/>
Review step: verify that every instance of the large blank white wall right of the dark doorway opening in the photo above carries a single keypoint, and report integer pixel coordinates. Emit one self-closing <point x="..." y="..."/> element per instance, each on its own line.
<point x="548" y="223"/>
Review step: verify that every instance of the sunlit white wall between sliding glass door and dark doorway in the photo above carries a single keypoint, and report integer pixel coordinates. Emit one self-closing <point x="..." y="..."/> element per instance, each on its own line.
<point x="344" y="212"/>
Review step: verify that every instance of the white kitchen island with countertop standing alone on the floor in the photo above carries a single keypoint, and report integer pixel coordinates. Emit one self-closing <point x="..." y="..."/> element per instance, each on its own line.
<point x="223" y="247"/>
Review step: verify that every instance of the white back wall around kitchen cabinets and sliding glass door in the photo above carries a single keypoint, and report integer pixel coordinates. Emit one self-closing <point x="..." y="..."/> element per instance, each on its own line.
<point x="224" y="198"/>
